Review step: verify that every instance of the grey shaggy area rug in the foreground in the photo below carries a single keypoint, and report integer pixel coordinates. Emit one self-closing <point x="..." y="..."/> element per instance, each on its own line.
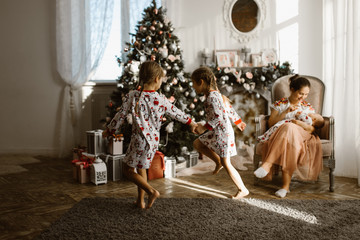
<point x="189" y="218"/>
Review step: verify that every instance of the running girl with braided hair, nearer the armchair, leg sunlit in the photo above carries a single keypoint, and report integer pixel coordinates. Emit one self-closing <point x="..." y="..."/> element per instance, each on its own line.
<point x="218" y="143"/>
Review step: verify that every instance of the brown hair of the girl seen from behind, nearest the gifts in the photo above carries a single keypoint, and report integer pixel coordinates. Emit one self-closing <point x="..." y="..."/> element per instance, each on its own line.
<point x="148" y="72"/>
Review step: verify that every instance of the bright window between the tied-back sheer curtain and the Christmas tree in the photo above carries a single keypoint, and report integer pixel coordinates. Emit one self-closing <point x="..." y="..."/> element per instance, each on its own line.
<point x="125" y="13"/>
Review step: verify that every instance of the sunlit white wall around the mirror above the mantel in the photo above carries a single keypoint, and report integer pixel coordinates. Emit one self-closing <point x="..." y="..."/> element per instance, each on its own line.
<point x="199" y="24"/>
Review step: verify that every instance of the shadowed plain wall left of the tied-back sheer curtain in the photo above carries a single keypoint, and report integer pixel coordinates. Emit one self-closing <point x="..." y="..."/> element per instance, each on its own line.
<point x="30" y="89"/>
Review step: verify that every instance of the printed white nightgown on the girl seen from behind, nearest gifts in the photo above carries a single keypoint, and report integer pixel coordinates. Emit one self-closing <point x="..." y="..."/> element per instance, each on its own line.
<point x="147" y="119"/>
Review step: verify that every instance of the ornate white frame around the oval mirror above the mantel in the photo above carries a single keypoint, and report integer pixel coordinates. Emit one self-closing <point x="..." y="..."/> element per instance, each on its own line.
<point x="243" y="37"/>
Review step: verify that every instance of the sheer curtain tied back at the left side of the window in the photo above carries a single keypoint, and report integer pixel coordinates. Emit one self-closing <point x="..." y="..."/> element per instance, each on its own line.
<point x="82" y="30"/>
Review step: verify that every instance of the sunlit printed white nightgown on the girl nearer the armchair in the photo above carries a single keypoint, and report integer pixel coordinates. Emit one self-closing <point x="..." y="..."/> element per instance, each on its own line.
<point x="220" y="137"/>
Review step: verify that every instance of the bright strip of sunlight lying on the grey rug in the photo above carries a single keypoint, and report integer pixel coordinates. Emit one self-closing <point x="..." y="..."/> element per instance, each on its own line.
<point x="287" y="211"/>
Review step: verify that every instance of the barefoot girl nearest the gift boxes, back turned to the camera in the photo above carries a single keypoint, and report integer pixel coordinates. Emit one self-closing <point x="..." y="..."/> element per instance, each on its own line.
<point x="147" y="108"/>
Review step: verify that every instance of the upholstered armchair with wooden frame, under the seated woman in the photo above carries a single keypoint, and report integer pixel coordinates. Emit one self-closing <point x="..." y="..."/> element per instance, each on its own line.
<point x="281" y="89"/>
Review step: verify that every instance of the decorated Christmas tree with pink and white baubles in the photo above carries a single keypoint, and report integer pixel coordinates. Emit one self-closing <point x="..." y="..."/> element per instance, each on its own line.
<point x="155" y="40"/>
